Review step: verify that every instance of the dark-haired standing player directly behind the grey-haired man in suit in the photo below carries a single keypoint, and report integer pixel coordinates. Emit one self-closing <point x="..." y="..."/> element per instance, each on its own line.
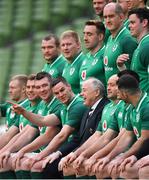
<point x="94" y="32"/>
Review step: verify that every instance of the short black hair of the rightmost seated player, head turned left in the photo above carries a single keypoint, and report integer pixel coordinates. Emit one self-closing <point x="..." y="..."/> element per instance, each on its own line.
<point x="129" y="83"/>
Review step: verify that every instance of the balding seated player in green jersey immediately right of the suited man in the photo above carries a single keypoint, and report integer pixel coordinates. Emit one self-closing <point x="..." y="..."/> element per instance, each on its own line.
<point x="103" y="133"/>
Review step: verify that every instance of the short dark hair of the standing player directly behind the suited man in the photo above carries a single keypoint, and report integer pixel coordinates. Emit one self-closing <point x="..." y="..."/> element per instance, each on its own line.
<point x="99" y="25"/>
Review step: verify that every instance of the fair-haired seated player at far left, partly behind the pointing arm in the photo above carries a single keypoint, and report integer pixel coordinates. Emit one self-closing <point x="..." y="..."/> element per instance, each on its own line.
<point x="17" y="93"/>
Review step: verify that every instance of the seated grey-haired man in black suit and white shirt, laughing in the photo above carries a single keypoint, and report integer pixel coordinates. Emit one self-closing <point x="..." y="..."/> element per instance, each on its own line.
<point x="93" y="93"/>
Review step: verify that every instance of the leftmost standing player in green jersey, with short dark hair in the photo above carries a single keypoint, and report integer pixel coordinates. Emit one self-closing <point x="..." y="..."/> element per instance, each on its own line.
<point x="50" y="47"/>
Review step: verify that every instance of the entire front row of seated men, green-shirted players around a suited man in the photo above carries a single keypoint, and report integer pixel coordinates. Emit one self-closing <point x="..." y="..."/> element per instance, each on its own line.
<point x="53" y="133"/>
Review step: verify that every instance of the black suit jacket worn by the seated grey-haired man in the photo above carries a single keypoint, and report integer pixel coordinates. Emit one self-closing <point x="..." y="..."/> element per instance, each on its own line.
<point x="85" y="130"/>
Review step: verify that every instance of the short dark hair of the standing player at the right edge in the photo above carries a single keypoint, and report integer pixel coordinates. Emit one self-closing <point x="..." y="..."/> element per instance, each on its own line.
<point x="141" y="13"/>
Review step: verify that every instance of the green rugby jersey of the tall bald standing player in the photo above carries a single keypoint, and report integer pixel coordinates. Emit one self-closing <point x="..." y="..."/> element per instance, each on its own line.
<point x="122" y="43"/>
